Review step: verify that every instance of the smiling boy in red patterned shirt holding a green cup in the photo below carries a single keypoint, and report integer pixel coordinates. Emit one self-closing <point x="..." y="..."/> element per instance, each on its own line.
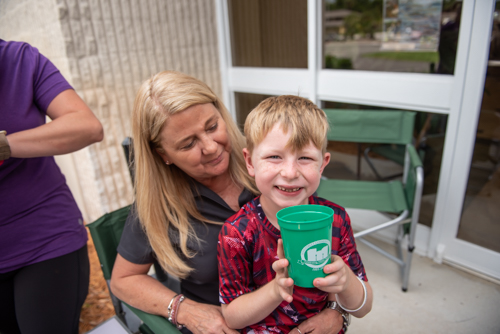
<point x="286" y="153"/>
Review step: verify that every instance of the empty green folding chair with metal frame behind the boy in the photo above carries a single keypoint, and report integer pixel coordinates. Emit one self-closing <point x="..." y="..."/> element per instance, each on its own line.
<point x="401" y="198"/>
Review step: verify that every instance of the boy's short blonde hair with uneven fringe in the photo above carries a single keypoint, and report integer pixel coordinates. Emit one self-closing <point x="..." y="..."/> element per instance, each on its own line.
<point x="297" y="114"/>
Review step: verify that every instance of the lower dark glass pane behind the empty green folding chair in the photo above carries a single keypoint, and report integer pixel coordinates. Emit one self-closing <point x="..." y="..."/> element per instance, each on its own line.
<point x="428" y="136"/>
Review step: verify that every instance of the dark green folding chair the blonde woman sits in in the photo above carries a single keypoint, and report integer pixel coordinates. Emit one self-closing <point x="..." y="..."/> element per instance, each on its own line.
<point x="106" y="233"/>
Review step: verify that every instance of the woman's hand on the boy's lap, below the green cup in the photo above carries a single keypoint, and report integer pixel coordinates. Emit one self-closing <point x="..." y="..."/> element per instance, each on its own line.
<point x="327" y="321"/>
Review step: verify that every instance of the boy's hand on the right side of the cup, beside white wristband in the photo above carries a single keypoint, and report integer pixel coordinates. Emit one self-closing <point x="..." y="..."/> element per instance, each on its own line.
<point x="338" y="276"/>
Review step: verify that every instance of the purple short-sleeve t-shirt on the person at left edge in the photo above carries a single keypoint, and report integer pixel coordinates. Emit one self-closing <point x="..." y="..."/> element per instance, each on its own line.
<point x="39" y="218"/>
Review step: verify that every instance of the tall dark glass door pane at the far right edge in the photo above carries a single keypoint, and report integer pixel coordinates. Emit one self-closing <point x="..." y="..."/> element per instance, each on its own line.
<point x="479" y="223"/>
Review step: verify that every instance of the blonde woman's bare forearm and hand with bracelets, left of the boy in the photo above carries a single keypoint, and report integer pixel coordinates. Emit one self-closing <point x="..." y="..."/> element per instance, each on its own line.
<point x="131" y="284"/>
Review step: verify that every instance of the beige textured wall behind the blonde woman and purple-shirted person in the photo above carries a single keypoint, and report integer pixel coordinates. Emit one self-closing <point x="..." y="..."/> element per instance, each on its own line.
<point x="106" y="49"/>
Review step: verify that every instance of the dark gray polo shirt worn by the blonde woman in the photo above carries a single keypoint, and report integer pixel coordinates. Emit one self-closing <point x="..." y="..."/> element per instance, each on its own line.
<point x="203" y="283"/>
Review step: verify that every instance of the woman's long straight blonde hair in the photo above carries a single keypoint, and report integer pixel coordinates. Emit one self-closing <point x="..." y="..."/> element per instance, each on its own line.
<point x="164" y="199"/>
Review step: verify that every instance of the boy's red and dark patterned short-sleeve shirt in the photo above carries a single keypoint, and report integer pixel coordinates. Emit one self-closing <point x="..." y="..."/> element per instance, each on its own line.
<point x="247" y="249"/>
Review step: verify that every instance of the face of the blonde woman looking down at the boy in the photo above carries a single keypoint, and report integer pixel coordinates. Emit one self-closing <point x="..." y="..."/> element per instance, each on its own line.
<point x="196" y="141"/>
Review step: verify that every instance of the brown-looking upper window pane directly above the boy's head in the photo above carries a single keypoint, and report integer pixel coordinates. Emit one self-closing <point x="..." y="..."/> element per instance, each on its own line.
<point x="269" y="33"/>
